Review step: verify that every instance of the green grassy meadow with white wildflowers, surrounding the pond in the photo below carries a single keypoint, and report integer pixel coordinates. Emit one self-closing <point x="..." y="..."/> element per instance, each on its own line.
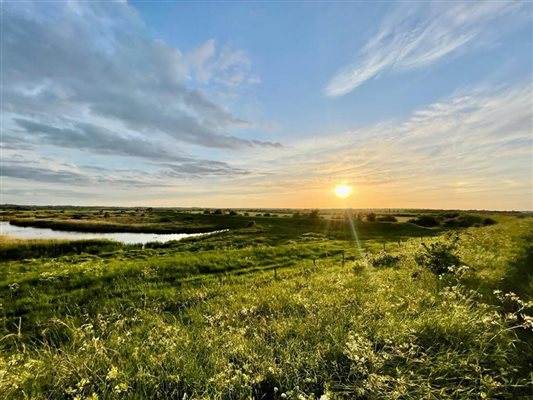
<point x="285" y="305"/>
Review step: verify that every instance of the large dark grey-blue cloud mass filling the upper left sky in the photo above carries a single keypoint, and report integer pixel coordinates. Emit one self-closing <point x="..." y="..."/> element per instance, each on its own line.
<point x="93" y="64"/>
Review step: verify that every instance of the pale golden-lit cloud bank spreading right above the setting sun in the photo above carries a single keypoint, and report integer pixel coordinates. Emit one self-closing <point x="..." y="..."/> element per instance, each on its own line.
<point x="479" y="137"/>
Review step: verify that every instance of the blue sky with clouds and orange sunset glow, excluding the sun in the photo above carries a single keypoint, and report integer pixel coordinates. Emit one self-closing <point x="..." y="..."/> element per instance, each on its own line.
<point x="267" y="104"/>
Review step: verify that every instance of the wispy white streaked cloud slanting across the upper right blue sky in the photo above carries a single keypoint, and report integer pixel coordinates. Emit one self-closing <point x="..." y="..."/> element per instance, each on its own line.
<point x="416" y="36"/>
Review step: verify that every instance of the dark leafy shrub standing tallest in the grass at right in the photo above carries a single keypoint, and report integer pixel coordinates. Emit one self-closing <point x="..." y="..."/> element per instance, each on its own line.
<point x="439" y="257"/>
